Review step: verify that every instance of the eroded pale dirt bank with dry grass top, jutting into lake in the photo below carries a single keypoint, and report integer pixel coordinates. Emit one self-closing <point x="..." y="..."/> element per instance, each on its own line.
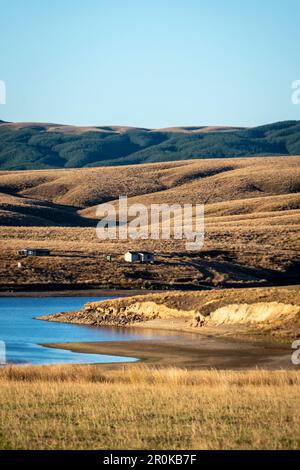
<point x="269" y="311"/>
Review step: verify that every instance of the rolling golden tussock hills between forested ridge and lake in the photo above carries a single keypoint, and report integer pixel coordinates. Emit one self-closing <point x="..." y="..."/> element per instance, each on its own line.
<point x="252" y="222"/>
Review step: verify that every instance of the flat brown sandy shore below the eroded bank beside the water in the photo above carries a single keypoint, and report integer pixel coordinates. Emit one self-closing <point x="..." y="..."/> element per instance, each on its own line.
<point x="201" y="350"/>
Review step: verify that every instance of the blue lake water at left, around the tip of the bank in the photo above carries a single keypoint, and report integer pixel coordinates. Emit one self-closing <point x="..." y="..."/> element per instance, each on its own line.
<point x="22" y="334"/>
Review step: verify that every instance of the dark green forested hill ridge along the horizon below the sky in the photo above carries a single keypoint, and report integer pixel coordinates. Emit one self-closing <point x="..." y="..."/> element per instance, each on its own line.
<point x="33" y="146"/>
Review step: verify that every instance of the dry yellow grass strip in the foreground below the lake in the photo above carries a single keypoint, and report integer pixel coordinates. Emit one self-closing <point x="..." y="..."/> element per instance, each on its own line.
<point x="84" y="407"/>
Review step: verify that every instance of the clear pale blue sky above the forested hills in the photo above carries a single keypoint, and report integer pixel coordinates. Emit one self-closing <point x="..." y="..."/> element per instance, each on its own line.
<point x="151" y="63"/>
